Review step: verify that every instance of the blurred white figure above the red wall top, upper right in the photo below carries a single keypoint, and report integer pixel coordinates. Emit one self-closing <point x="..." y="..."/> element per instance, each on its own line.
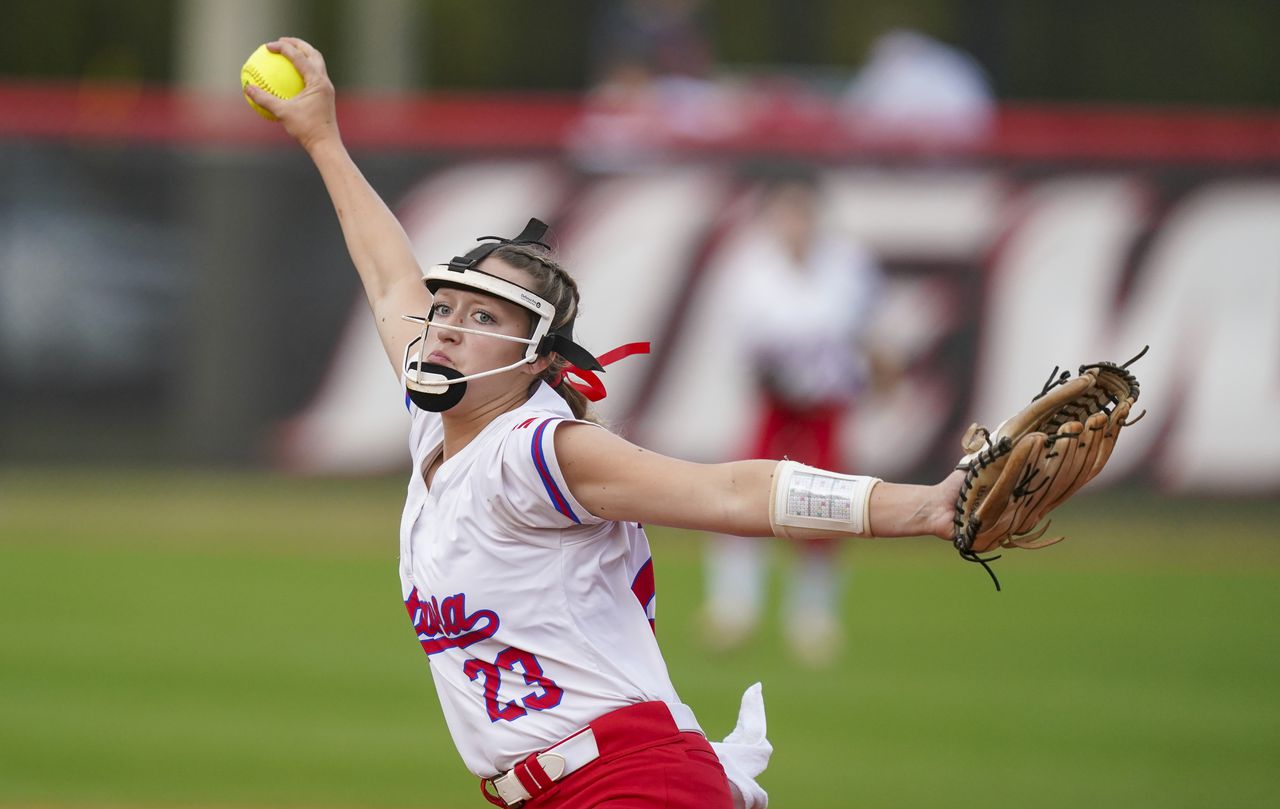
<point x="920" y="92"/>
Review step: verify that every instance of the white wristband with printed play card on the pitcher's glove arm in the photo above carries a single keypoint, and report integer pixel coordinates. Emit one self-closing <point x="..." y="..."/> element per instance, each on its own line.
<point x="806" y="497"/>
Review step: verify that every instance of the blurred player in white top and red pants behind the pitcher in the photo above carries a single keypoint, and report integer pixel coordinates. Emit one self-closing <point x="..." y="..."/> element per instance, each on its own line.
<point x="802" y="301"/>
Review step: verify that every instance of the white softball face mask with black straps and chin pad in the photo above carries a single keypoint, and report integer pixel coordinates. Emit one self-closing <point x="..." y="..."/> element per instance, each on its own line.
<point x="437" y="387"/>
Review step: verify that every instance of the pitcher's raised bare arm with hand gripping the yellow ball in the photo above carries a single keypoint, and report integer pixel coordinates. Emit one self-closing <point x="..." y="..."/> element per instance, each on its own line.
<point x="376" y="240"/>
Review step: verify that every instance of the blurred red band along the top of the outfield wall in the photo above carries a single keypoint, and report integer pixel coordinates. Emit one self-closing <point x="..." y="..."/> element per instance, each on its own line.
<point x="778" y="125"/>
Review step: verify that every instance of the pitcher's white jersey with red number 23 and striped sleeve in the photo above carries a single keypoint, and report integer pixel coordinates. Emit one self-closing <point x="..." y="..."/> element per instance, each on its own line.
<point x="537" y="618"/>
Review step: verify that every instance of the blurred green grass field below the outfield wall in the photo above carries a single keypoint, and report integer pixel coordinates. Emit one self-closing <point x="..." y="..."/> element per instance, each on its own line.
<point x="239" y="641"/>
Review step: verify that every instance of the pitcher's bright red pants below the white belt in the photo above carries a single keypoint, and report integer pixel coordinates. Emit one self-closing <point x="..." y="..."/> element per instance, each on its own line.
<point x="646" y="764"/>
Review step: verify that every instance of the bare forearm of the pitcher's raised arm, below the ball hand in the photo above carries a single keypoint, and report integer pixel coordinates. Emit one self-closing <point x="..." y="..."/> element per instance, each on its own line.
<point x="376" y="239"/>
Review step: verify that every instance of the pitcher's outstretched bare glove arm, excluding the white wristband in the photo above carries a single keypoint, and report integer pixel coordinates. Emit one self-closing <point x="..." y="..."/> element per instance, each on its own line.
<point x="618" y="481"/>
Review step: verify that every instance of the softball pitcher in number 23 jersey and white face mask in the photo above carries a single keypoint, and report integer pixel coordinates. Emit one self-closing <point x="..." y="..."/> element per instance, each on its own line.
<point x="523" y="561"/>
